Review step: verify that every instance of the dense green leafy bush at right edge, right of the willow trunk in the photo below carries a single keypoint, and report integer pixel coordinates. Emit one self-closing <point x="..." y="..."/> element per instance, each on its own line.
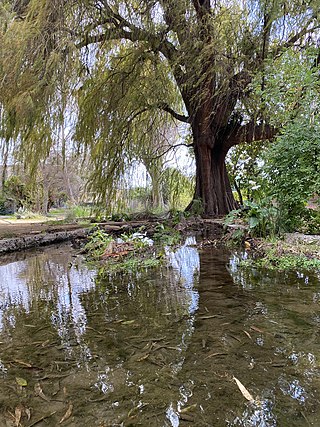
<point x="292" y="166"/>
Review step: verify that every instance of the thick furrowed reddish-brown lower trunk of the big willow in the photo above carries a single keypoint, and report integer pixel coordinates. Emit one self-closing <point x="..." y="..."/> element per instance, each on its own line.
<point x="213" y="187"/>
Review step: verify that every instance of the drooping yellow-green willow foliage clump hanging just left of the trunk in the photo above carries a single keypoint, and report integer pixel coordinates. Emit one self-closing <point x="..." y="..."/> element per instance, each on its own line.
<point x="118" y="116"/>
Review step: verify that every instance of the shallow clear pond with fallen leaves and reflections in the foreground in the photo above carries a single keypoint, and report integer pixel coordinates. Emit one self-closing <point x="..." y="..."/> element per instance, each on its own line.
<point x="197" y="342"/>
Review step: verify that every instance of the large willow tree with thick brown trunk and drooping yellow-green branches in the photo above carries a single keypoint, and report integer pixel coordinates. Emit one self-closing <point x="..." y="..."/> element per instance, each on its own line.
<point x="146" y="61"/>
